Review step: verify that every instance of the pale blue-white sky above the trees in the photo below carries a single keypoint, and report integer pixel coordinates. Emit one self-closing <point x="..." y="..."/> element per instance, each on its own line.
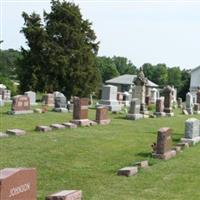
<point x="143" y="31"/>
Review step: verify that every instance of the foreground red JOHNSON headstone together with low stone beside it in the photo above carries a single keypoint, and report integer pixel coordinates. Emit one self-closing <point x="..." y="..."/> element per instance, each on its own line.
<point x="21" y="184"/>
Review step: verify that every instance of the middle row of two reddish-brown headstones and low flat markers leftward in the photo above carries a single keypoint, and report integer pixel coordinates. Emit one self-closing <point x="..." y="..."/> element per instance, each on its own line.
<point x="80" y="118"/>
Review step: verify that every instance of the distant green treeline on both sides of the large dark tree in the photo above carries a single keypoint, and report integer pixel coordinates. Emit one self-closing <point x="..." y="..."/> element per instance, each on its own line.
<point x="108" y="68"/>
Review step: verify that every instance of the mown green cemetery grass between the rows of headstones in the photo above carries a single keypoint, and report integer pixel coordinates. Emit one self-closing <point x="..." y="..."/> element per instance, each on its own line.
<point x="88" y="158"/>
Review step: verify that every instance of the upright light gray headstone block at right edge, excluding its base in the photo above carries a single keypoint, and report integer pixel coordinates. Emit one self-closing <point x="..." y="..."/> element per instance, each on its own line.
<point x="191" y="128"/>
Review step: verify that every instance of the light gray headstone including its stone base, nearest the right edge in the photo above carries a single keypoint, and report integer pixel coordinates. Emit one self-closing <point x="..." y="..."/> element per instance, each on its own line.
<point x="192" y="128"/>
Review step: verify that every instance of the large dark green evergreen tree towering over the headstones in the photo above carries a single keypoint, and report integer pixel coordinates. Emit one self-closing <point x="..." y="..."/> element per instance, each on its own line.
<point x="62" y="52"/>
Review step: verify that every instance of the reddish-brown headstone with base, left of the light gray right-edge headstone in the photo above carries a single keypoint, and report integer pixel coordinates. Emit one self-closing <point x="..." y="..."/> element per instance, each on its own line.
<point x="164" y="144"/>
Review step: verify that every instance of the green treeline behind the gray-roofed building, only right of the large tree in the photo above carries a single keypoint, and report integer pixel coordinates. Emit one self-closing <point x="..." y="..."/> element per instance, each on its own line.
<point x="159" y="74"/>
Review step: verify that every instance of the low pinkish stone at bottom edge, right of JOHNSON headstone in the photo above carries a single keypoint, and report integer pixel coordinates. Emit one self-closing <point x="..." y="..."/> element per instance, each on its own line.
<point x="66" y="195"/>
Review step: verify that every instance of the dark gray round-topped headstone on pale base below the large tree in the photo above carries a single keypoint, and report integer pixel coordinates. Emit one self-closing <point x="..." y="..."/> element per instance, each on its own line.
<point x="60" y="103"/>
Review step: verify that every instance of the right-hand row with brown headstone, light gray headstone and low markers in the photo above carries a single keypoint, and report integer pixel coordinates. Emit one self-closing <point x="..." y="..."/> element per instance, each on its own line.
<point x="163" y="149"/>
